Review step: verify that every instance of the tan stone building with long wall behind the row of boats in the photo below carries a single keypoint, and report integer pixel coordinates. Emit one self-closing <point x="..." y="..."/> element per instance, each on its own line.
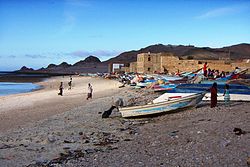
<point x="168" y="63"/>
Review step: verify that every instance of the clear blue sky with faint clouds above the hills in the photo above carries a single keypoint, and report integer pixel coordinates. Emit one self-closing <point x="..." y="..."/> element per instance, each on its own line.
<point x="36" y="33"/>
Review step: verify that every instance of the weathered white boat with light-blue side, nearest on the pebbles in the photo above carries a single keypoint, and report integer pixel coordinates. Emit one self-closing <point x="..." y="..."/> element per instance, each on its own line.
<point x="162" y="107"/>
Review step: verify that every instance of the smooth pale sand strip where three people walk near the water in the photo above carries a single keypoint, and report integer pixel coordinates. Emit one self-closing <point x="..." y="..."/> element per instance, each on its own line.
<point x="17" y="110"/>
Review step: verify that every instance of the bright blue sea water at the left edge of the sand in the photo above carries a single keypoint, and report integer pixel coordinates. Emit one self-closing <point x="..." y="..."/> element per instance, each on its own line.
<point x="8" y="88"/>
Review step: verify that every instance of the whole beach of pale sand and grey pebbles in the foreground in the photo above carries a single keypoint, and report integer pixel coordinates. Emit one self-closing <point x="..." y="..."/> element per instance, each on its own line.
<point x="41" y="128"/>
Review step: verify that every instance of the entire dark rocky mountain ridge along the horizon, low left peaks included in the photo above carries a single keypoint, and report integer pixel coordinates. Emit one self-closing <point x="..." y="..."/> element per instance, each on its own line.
<point x="93" y="63"/>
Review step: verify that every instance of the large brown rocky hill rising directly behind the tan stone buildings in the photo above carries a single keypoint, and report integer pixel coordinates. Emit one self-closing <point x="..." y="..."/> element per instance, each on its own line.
<point x="240" y="51"/>
